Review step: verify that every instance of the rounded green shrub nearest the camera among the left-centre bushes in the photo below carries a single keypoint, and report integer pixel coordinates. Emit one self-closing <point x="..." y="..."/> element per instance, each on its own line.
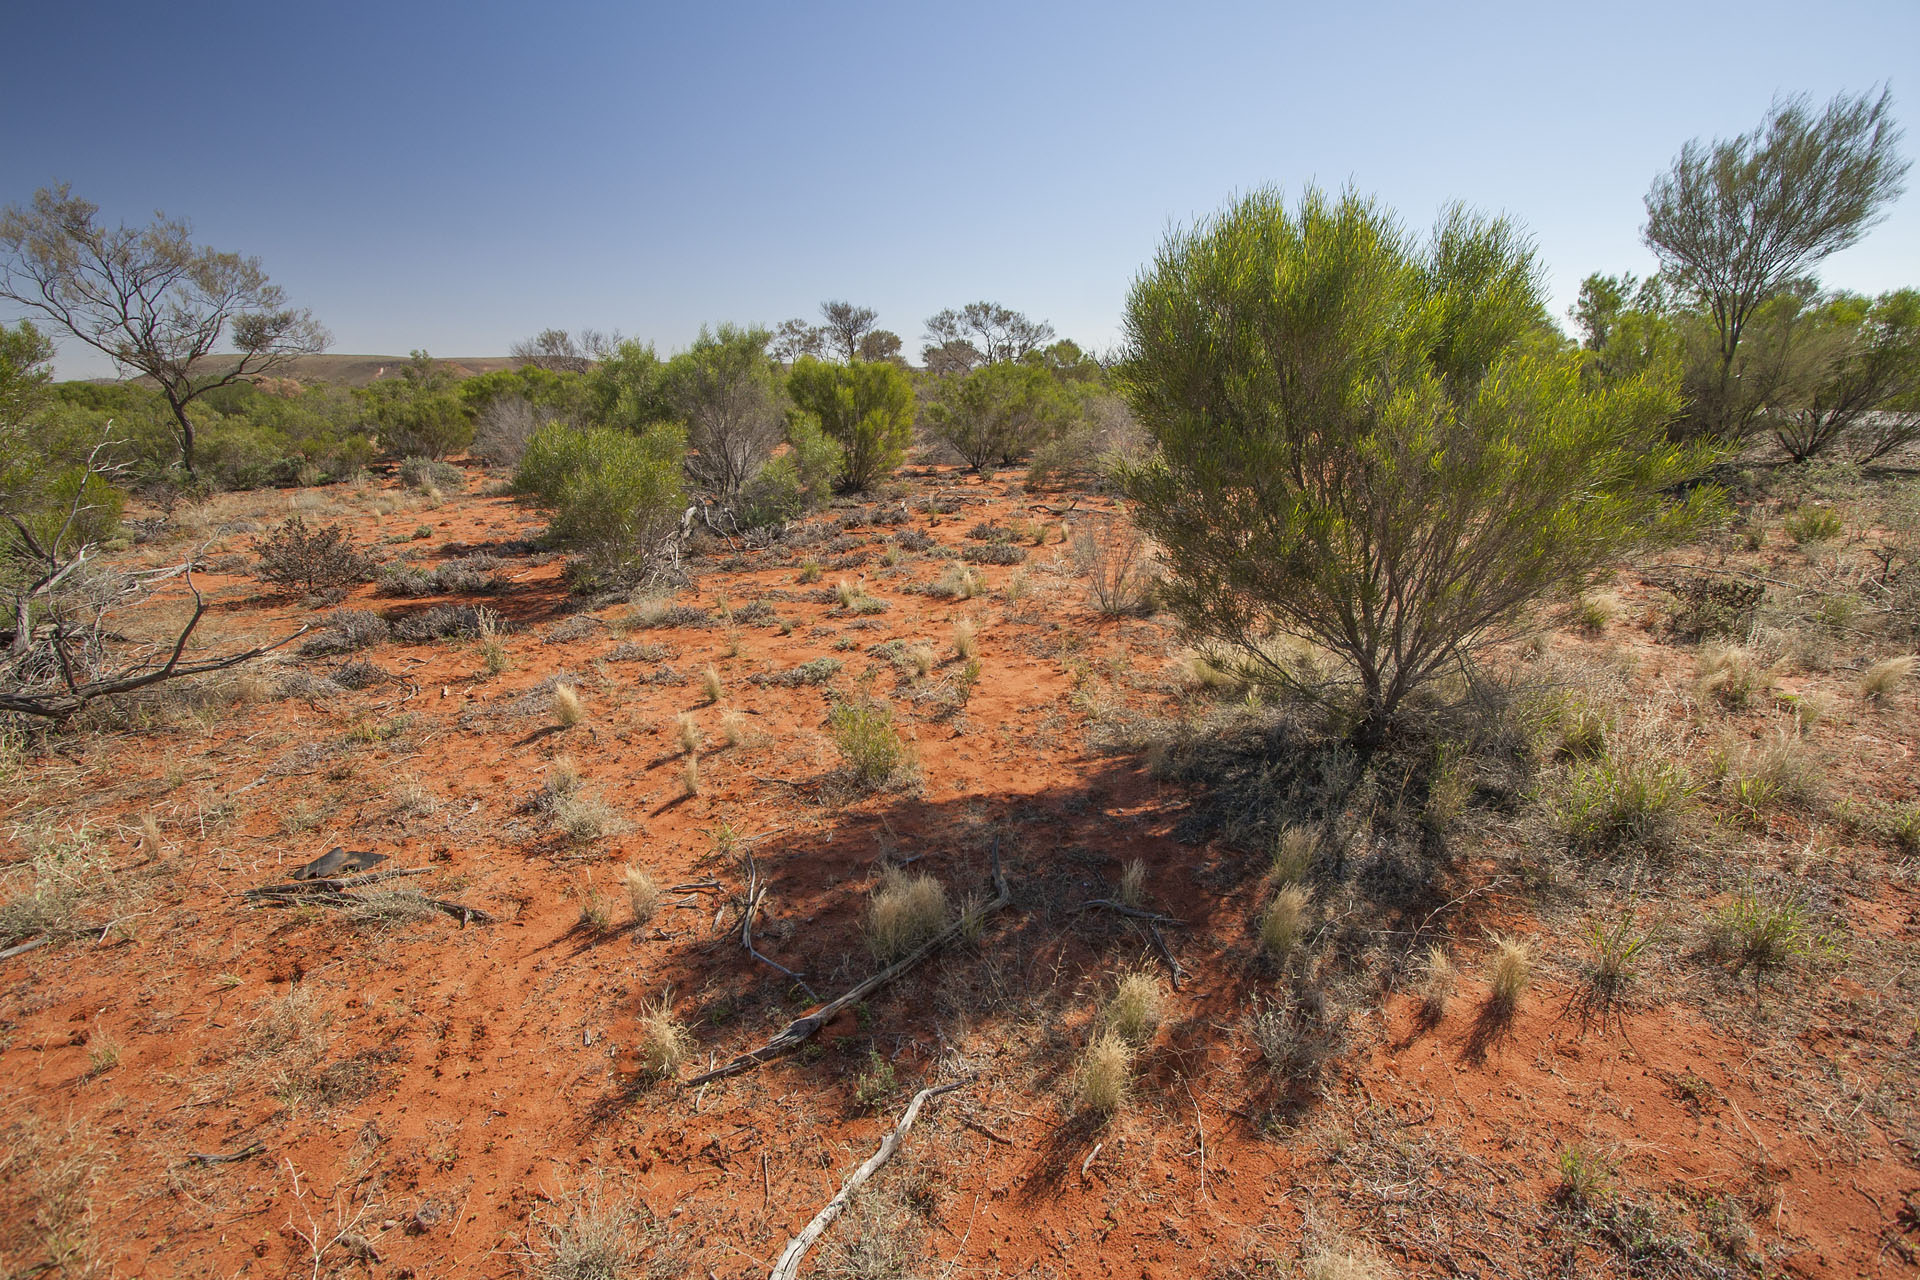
<point x="615" y="496"/>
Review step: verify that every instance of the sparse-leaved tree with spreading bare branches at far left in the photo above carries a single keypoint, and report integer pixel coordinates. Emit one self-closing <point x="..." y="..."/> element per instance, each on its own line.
<point x="151" y="300"/>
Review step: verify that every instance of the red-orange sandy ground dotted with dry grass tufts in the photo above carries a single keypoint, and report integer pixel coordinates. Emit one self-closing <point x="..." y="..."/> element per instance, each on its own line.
<point x="1606" y="970"/>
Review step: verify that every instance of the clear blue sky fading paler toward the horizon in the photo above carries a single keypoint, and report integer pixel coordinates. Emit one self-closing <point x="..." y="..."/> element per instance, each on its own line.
<point x="462" y="176"/>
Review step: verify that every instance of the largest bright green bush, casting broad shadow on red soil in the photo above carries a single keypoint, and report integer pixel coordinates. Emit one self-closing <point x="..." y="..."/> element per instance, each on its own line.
<point x="1370" y="444"/>
